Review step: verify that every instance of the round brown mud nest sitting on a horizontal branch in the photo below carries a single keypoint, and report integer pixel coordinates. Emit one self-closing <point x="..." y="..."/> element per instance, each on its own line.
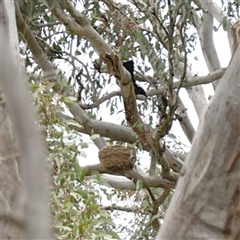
<point x="117" y="157"/>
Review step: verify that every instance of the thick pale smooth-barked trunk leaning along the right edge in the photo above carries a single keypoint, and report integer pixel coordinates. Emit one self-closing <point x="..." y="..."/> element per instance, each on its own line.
<point x="206" y="204"/>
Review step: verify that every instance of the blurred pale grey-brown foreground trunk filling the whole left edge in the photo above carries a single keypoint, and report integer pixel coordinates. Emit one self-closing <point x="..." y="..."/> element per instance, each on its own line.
<point x="24" y="200"/>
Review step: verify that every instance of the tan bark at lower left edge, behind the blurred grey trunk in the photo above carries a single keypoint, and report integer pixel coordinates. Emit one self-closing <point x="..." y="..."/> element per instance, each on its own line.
<point x="11" y="203"/>
